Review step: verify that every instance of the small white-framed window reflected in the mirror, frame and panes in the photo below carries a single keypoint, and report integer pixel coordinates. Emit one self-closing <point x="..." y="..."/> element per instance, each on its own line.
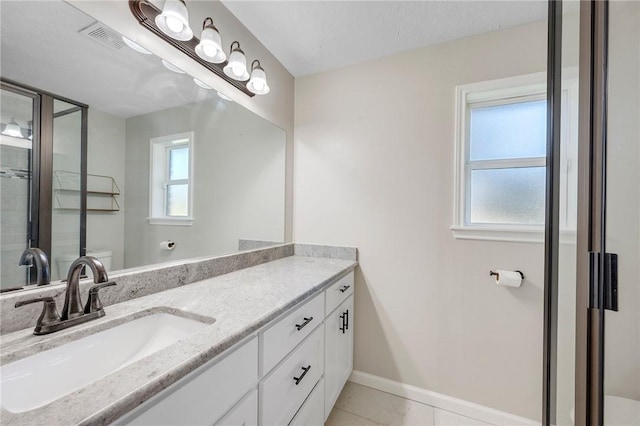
<point x="170" y="194"/>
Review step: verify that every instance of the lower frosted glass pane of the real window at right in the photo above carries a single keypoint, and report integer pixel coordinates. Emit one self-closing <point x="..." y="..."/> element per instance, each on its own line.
<point x="508" y="196"/>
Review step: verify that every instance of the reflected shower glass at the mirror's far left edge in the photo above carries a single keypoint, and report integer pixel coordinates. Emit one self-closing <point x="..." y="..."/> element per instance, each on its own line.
<point x="16" y="118"/>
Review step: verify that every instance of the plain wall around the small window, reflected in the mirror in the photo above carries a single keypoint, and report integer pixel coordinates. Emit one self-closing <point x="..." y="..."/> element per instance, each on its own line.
<point x="238" y="186"/>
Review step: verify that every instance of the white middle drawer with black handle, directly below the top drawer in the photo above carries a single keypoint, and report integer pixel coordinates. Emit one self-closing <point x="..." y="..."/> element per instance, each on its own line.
<point x="280" y="396"/>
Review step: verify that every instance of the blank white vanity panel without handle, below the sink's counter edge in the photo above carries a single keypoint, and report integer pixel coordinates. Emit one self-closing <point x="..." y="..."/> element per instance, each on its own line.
<point x="203" y="396"/>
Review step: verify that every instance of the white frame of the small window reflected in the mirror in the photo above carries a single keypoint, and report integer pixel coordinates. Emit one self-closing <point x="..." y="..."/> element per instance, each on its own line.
<point x="159" y="175"/>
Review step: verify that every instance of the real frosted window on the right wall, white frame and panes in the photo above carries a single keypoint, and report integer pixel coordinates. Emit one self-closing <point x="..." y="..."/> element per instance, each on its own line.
<point x="501" y="159"/>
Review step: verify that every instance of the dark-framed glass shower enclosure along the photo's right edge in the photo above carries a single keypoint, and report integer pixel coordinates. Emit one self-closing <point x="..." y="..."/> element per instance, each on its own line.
<point x="592" y="290"/>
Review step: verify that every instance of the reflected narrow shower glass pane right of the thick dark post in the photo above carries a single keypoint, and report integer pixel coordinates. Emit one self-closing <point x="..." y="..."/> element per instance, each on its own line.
<point x="67" y="195"/>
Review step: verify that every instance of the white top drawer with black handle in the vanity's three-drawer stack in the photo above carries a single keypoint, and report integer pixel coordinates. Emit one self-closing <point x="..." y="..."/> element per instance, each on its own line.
<point x="280" y="339"/>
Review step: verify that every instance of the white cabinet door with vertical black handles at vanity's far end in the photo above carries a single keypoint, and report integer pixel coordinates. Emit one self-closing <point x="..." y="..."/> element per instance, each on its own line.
<point x="338" y="352"/>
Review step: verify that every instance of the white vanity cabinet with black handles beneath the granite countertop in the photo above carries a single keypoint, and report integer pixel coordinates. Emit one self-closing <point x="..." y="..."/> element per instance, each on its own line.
<point x="291" y="373"/>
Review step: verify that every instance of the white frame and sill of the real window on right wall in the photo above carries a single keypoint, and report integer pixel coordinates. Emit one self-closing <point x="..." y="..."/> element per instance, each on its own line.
<point x="500" y="92"/>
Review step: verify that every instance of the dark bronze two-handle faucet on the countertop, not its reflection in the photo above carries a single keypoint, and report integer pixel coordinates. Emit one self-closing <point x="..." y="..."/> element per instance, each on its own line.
<point x="72" y="311"/>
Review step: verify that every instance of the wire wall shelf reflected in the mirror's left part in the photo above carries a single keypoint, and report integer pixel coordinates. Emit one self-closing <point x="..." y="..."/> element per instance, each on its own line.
<point x="101" y="192"/>
